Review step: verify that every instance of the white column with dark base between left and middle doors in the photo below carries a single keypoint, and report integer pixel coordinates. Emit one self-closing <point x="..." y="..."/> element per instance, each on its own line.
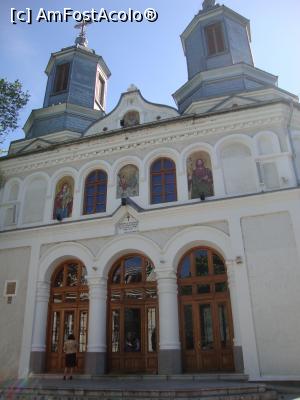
<point x="95" y="363"/>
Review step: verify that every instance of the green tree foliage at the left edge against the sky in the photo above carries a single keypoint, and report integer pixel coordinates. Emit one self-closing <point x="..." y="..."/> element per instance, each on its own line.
<point x="12" y="99"/>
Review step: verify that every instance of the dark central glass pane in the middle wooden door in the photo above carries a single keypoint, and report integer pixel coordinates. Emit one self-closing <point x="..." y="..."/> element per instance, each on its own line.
<point x="132" y="325"/>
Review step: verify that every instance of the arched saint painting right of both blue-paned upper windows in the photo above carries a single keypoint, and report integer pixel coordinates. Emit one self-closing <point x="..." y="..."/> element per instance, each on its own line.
<point x="199" y="175"/>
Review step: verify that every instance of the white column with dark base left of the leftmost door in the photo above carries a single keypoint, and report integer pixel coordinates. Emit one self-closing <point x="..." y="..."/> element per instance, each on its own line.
<point x="38" y="347"/>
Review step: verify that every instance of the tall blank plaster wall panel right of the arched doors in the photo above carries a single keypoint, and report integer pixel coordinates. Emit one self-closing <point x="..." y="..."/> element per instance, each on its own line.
<point x="274" y="276"/>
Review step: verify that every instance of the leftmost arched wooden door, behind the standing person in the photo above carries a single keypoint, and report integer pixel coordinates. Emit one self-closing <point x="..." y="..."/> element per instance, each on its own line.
<point x="68" y="314"/>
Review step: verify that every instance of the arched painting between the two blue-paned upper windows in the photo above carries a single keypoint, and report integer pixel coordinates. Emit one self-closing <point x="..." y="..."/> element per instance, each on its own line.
<point x="128" y="182"/>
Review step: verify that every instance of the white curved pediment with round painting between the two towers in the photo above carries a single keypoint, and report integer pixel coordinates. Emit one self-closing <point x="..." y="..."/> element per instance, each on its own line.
<point x="132" y="110"/>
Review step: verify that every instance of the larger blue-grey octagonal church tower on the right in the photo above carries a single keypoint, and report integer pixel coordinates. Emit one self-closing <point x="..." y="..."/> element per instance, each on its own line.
<point x="216" y="45"/>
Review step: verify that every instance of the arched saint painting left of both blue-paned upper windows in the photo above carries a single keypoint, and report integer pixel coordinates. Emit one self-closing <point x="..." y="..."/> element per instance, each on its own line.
<point x="63" y="201"/>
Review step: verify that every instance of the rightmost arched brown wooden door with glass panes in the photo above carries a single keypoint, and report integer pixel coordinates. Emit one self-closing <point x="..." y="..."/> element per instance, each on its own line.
<point x="205" y="313"/>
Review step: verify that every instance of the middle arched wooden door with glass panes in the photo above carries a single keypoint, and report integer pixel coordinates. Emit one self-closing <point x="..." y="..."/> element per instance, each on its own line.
<point x="132" y="316"/>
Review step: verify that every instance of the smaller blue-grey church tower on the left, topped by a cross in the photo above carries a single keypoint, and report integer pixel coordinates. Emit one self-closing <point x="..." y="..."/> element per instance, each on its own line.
<point x="75" y="94"/>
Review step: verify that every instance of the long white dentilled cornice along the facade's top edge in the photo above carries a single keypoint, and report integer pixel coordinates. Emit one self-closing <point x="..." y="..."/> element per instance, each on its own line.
<point x="161" y="135"/>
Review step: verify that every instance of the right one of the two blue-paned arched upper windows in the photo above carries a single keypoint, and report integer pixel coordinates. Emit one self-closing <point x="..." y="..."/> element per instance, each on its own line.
<point x="163" y="181"/>
